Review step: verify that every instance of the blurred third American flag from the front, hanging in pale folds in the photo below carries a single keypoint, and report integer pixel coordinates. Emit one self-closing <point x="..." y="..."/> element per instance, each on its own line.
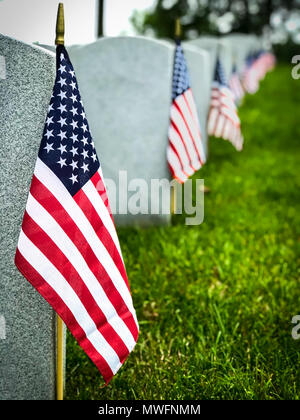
<point x="223" y="120"/>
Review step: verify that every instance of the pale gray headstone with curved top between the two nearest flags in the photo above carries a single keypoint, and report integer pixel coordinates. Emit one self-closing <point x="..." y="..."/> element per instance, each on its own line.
<point x="125" y="84"/>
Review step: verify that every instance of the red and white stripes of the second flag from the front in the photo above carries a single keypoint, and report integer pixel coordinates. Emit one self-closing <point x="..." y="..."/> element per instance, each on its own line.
<point x="185" y="152"/>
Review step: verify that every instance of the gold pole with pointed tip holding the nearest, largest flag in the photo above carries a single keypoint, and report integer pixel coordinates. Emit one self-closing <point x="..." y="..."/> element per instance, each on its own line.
<point x="59" y="40"/>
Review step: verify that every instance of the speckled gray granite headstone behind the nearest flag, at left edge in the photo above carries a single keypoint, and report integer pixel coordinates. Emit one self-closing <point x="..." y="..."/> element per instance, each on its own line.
<point x="27" y="322"/>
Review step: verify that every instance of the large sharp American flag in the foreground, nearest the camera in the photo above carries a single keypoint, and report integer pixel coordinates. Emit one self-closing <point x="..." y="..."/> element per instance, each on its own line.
<point x="68" y="247"/>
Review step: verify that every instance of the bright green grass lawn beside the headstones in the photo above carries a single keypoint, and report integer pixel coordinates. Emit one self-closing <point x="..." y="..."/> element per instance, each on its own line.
<point x="215" y="301"/>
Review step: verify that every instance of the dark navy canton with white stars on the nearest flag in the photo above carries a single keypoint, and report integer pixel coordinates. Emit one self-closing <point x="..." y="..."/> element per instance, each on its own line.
<point x="67" y="147"/>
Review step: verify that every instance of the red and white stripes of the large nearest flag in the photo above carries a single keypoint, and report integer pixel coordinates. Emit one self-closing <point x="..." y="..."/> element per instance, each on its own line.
<point x="69" y="251"/>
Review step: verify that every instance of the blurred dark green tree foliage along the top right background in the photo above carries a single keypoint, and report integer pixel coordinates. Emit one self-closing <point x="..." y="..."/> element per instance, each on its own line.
<point x="277" y="20"/>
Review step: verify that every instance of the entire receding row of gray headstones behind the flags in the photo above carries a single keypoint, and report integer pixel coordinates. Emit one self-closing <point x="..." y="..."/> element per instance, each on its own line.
<point x="125" y="84"/>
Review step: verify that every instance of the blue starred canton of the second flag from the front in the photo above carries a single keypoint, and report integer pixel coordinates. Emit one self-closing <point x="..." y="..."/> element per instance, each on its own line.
<point x="181" y="80"/>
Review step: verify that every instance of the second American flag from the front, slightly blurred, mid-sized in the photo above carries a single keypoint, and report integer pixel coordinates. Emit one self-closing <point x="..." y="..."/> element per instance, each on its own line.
<point x="185" y="151"/>
